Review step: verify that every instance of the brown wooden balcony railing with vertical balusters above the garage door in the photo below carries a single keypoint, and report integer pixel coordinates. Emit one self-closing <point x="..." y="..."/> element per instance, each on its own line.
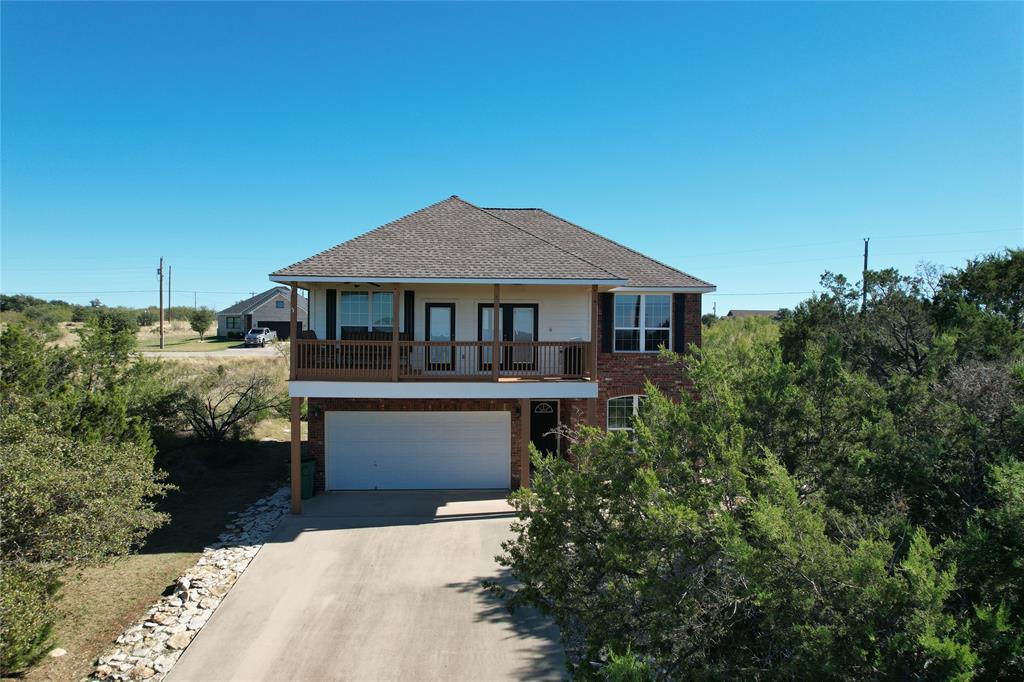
<point x="440" y="361"/>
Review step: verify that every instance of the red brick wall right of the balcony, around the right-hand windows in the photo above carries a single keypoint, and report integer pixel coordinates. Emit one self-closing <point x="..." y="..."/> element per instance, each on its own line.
<point x="626" y="374"/>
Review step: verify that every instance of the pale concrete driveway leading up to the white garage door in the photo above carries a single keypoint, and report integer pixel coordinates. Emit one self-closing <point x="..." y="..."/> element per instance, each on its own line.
<point x="377" y="586"/>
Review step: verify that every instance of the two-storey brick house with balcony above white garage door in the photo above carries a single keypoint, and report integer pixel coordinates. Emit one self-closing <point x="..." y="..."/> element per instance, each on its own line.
<point x="410" y="388"/>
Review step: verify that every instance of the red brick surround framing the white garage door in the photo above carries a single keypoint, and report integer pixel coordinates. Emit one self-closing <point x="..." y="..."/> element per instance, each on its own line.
<point x="318" y="407"/>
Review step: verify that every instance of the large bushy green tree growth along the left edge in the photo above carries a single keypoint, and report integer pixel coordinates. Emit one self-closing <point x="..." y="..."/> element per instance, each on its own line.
<point x="76" y="467"/>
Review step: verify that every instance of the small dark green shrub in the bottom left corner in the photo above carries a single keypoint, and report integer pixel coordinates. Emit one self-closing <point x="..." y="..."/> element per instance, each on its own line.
<point x="27" y="617"/>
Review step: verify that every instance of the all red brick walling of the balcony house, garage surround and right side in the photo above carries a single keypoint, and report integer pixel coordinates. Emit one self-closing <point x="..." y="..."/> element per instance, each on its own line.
<point x="619" y="374"/>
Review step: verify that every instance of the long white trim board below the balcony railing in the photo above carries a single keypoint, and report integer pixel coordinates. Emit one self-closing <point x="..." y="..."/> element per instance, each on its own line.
<point x="445" y="390"/>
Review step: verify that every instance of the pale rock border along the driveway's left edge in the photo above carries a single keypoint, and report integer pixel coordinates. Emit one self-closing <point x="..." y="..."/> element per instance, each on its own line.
<point x="148" y="650"/>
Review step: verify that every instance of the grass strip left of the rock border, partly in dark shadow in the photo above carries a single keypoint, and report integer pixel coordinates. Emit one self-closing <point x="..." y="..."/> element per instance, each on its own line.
<point x="99" y="604"/>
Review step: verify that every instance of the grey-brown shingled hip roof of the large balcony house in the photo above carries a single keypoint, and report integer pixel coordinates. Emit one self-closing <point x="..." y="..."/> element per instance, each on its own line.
<point x="454" y="239"/>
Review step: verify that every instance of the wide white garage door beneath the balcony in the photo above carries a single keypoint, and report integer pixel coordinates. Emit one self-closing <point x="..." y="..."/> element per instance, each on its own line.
<point x="417" y="450"/>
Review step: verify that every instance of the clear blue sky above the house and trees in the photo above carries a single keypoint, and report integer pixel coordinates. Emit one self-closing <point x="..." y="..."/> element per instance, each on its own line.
<point x="750" y="145"/>
